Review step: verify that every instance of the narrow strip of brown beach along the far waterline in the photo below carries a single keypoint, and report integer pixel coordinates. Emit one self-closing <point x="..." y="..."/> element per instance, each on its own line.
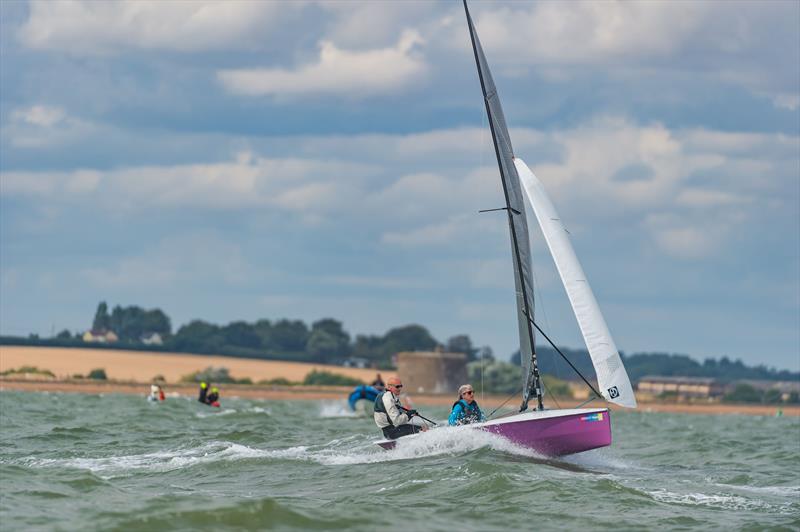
<point x="339" y="393"/>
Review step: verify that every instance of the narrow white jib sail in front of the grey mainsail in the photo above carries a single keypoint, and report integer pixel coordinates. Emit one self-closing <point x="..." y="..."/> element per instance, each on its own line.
<point x="611" y="376"/>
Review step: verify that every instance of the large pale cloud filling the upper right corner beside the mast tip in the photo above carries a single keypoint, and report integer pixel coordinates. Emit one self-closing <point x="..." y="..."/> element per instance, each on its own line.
<point x="751" y="44"/>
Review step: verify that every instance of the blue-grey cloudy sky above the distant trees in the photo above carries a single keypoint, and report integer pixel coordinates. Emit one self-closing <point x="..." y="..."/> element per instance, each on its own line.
<point x="246" y="160"/>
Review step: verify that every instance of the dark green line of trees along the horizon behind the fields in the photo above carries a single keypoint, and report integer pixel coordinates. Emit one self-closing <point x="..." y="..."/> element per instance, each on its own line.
<point x="327" y="341"/>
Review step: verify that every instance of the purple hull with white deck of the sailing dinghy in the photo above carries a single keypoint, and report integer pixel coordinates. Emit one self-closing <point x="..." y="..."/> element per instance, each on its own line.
<point x="549" y="432"/>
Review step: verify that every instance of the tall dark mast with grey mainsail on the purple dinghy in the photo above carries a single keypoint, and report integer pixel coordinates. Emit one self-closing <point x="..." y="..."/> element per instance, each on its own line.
<point x="517" y="223"/>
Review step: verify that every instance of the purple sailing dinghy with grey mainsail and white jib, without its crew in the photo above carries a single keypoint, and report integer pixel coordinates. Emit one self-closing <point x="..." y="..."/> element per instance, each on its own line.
<point x="561" y="431"/>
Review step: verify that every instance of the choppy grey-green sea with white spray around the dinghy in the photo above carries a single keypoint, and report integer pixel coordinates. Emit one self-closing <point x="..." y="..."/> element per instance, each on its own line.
<point x="115" y="462"/>
